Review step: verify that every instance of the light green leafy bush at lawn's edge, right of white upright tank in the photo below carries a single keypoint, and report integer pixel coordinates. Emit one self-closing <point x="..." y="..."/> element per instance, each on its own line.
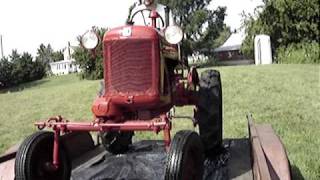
<point x="299" y="53"/>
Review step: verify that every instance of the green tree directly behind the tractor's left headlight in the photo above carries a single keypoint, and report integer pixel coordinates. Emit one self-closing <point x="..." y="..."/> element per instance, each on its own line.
<point x="92" y="67"/>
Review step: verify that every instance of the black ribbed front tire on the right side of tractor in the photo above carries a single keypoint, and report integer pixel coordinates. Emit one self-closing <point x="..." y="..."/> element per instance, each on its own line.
<point x="185" y="159"/>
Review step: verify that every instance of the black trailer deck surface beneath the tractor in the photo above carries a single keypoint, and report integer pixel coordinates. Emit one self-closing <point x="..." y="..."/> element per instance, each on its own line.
<point x="147" y="159"/>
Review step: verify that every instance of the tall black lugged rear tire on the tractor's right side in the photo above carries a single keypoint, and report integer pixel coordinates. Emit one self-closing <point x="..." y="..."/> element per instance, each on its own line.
<point x="209" y="112"/>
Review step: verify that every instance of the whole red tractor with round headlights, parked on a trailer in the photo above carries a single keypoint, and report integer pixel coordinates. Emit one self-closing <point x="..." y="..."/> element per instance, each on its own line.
<point x="144" y="78"/>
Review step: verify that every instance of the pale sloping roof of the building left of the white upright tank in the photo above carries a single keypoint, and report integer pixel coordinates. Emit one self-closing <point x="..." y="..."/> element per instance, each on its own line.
<point x="232" y="43"/>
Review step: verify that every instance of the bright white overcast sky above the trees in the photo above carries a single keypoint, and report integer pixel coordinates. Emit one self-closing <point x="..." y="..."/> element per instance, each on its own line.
<point x="25" y="24"/>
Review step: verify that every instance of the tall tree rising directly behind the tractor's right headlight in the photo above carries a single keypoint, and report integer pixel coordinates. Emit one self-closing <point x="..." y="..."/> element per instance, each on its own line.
<point x="201" y="25"/>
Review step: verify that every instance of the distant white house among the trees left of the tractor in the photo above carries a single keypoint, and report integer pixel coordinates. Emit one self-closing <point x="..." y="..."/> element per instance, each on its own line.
<point x="65" y="66"/>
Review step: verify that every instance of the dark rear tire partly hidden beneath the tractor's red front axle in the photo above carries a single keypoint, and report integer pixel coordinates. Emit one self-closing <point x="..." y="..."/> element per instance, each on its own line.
<point x="116" y="142"/>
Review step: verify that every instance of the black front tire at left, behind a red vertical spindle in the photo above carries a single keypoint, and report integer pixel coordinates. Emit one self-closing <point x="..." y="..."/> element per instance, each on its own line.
<point x="34" y="155"/>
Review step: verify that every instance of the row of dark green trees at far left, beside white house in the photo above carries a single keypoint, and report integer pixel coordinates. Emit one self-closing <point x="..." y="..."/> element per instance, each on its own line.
<point x="20" y="68"/>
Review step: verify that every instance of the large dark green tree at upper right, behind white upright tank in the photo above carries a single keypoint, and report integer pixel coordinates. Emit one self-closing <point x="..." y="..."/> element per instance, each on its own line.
<point x="285" y="21"/>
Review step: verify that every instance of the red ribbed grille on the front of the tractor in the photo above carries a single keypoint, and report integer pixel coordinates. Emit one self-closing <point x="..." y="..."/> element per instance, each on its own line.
<point x="130" y="65"/>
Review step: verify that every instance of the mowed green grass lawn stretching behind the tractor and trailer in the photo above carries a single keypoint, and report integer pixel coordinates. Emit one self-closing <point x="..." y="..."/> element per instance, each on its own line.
<point x="285" y="96"/>
